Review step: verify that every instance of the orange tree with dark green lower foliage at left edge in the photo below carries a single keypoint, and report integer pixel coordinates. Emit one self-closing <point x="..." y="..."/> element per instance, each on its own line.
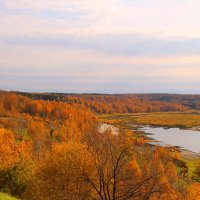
<point x="15" y="164"/>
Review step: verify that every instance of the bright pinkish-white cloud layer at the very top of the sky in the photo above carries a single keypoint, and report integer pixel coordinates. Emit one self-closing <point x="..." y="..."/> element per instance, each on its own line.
<point x="169" y="18"/>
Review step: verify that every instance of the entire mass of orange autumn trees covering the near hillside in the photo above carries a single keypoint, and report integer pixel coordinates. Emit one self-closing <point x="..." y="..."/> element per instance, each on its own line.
<point x="53" y="150"/>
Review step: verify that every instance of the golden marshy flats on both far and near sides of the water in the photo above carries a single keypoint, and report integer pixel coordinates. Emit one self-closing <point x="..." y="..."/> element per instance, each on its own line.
<point x="184" y="120"/>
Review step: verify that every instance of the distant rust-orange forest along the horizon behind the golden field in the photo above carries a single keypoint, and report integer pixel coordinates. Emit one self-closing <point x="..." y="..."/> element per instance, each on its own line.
<point x="121" y="103"/>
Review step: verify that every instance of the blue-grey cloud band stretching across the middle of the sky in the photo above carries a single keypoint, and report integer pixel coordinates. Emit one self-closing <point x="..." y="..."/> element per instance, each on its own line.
<point x="115" y="44"/>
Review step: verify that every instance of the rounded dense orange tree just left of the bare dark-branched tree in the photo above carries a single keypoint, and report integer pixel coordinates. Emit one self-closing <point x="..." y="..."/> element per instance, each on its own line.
<point x="59" y="175"/>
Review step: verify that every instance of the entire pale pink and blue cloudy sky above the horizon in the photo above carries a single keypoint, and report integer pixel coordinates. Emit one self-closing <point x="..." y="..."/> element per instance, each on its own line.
<point x="101" y="46"/>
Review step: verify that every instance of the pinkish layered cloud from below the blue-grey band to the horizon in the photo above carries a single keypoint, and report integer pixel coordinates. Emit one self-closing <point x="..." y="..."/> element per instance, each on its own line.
<point x="61" y="70"/>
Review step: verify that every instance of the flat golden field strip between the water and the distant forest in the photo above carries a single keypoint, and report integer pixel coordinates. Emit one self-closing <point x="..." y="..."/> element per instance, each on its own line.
<point x="170" y="119"/>
